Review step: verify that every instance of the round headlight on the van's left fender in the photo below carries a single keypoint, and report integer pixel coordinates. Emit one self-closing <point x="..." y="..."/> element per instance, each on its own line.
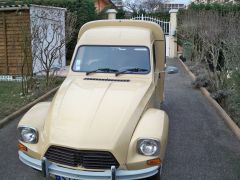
<point x="27" y="135"/>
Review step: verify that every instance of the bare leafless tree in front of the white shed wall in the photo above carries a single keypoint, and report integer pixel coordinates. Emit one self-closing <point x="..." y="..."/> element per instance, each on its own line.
<point x="47" y="42"/>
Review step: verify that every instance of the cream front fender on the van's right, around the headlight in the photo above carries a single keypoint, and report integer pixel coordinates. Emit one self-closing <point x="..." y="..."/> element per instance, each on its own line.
<point x="153" y="124"/>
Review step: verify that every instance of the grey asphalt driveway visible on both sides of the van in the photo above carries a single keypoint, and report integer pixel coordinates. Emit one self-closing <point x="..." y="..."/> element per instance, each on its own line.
<point x="200" y="145"/>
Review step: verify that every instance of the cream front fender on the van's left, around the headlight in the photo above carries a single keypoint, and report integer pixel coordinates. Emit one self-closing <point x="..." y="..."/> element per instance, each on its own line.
<point x="35" y="118"/>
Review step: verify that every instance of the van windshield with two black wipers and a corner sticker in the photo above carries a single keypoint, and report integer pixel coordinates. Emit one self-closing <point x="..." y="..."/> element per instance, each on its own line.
<point x="112" y="59"/>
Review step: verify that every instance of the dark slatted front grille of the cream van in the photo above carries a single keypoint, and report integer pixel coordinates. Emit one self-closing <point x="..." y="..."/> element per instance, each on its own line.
<point x="86" y="159"/>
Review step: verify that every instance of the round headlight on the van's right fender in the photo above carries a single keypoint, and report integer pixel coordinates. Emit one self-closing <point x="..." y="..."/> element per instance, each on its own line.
<point x="148" y="147"/>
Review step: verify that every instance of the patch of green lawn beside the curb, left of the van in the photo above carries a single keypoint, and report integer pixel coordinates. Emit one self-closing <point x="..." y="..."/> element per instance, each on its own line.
<point x="11" y="98"/>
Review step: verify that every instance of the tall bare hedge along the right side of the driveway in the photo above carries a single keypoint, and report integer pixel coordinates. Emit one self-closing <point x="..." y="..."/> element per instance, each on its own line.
<point x="216" y="45"/>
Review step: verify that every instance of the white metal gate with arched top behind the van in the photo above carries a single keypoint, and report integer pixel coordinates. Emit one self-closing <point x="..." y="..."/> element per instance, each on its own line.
<point x="165" y="25"/>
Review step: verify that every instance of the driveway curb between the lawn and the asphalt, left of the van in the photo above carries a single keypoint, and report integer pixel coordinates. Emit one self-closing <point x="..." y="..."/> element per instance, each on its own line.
<point x="25" y="108"/>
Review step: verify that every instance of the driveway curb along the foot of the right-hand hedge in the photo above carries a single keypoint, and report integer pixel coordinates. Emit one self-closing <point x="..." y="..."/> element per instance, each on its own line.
<point x="228" y="120"/>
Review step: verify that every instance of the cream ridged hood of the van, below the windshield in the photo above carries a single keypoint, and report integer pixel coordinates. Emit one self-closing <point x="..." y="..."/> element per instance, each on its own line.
<point x="96" y="115"/>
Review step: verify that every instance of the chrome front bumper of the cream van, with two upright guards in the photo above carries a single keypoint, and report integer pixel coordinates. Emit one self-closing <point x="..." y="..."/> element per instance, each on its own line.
<point x="49" y="168"/>
